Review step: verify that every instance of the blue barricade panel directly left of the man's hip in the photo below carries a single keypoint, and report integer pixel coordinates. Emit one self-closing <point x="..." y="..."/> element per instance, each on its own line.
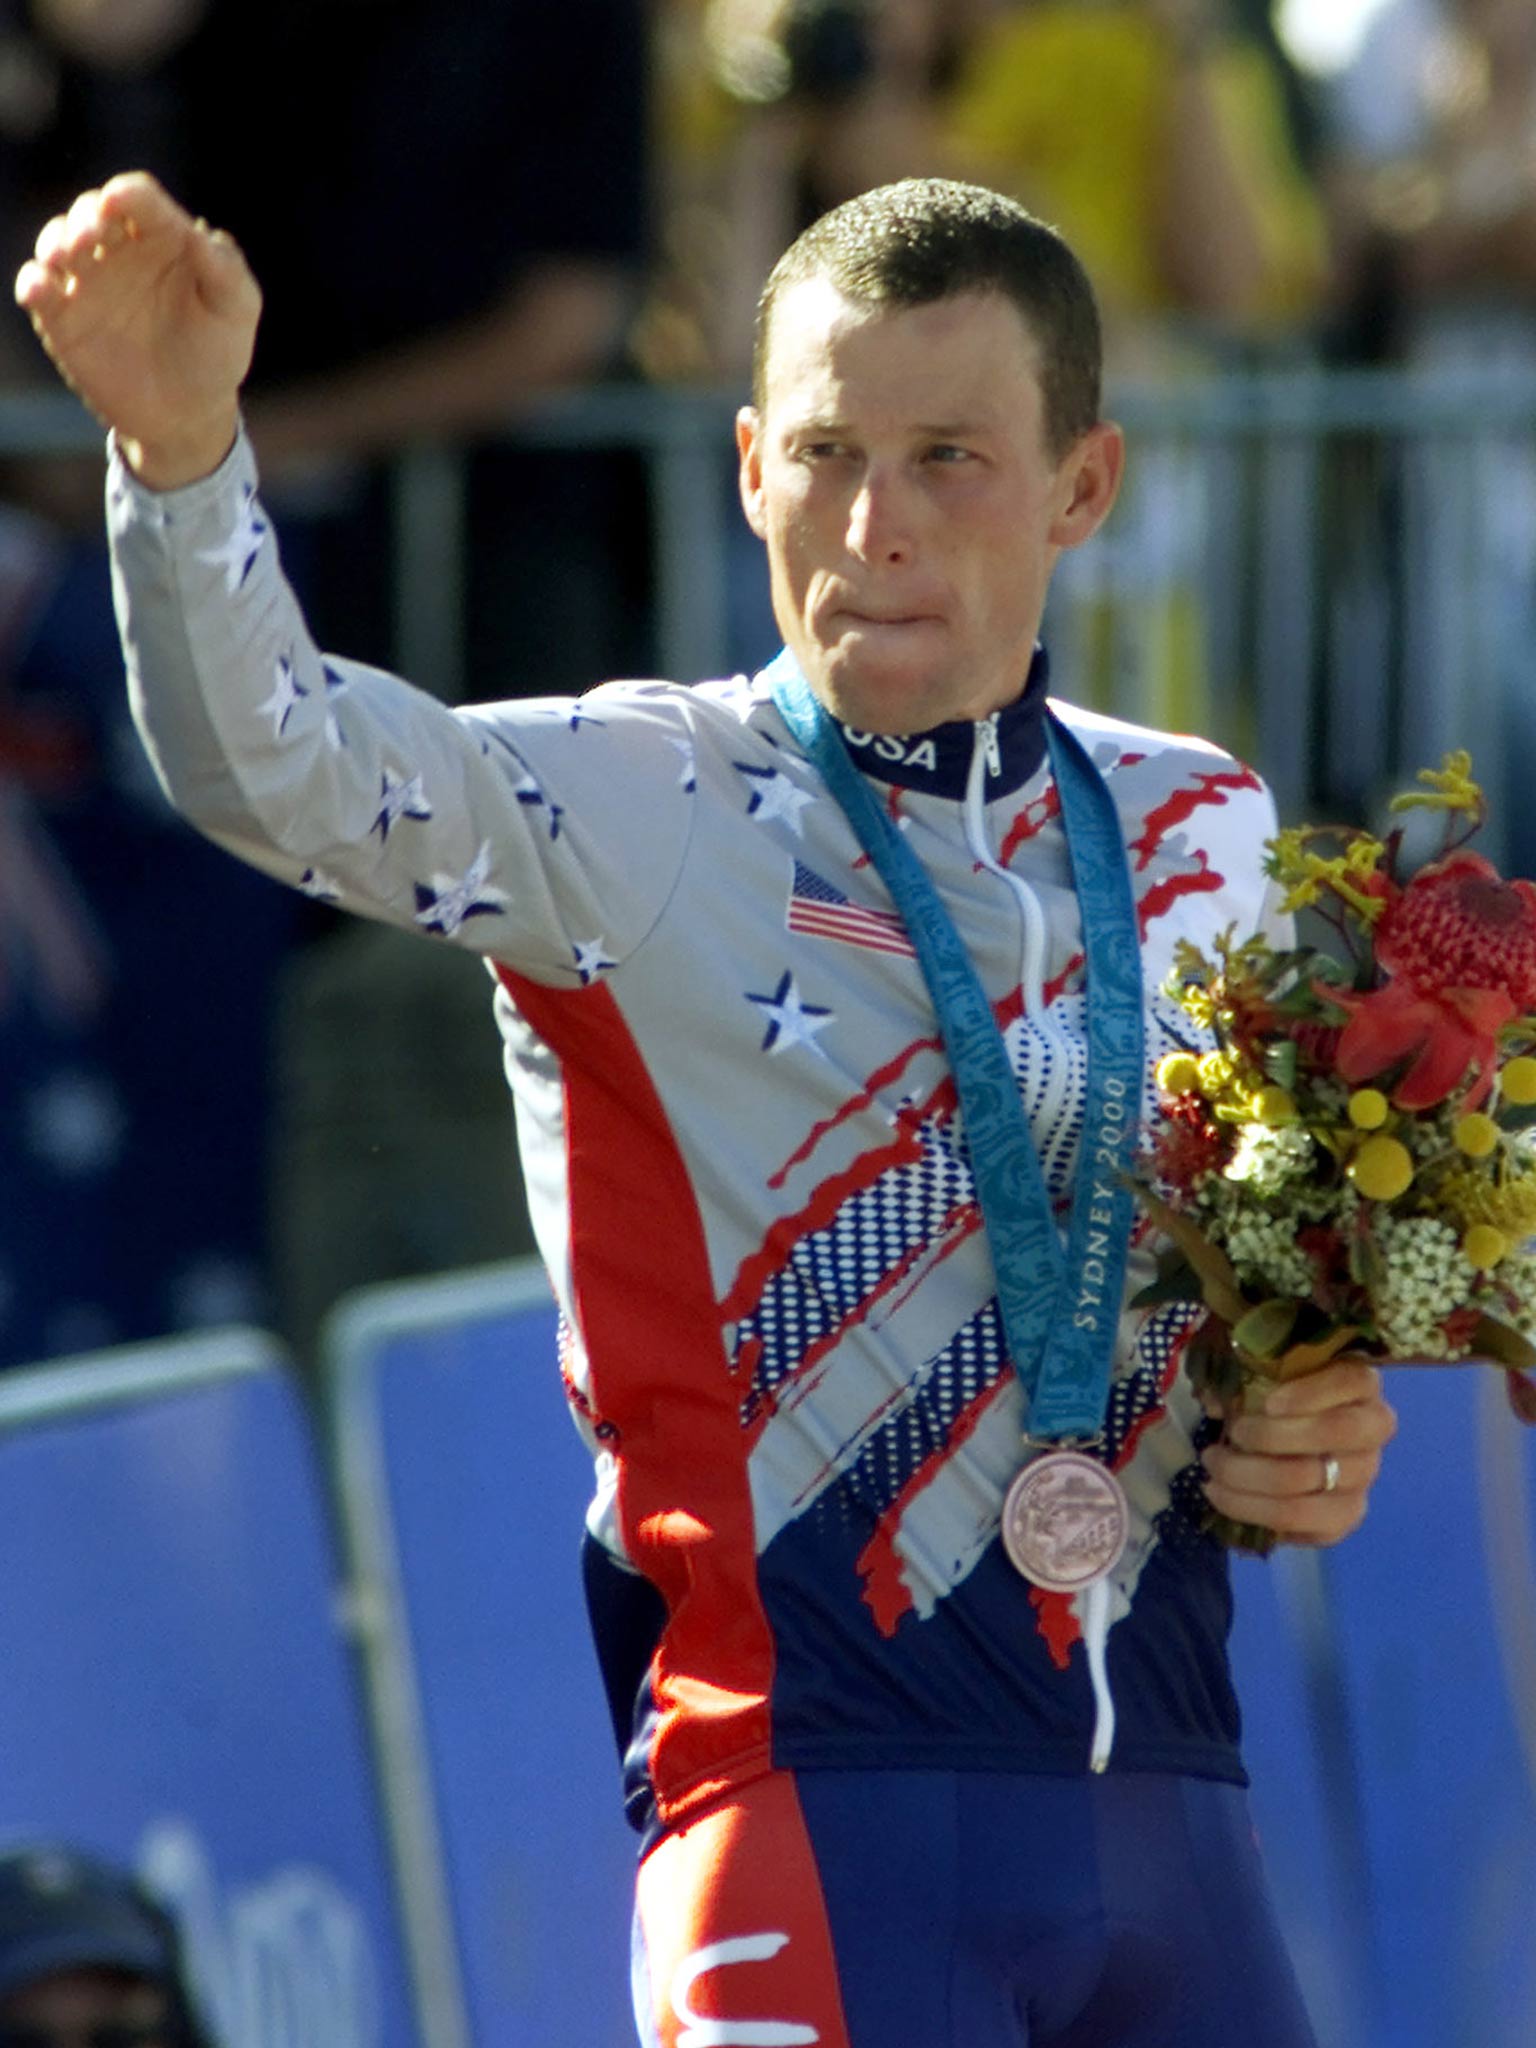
<point x="464" y="1488"/>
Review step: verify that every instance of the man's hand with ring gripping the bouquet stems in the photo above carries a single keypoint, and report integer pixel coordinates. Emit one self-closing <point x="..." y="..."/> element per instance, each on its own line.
<point x="1275" y="1463"/>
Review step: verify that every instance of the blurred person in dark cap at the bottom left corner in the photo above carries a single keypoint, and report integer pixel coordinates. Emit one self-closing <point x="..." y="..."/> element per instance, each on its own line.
<point x="87" y="1959"/>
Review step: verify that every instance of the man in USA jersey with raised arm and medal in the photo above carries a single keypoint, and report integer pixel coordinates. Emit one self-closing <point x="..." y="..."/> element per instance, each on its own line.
<point x="857" y="1736"/>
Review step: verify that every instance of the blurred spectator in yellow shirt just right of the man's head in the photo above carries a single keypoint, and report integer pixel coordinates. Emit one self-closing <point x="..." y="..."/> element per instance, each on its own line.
<point x="1160" y="140"/>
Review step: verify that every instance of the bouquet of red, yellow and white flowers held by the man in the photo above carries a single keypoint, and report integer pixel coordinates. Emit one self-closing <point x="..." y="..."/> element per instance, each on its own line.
<point x="1347" y="1154"/>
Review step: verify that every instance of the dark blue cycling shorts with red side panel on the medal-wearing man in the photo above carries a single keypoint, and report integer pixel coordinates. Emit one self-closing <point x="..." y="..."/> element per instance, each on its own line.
<point x="951" y="1910"/>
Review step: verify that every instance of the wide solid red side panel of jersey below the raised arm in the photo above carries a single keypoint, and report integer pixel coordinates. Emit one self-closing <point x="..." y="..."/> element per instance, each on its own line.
<point x="646" y="1312"/>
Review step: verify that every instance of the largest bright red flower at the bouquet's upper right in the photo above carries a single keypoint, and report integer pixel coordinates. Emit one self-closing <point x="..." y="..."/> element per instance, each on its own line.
<point x="1459" y="947"/>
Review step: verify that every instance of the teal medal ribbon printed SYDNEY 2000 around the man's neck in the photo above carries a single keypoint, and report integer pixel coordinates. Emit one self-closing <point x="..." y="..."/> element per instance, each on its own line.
<point x="1060" y="1310"/>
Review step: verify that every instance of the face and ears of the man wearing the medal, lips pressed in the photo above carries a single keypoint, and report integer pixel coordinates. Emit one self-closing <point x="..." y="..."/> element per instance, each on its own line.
<point x="912" y="511"/>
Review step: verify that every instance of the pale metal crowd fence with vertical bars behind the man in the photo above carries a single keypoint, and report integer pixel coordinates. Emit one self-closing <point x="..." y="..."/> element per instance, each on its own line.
<point x="1326" y="570"/>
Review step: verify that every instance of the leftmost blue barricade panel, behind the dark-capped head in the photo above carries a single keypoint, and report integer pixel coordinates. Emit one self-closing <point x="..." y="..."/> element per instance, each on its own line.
<point x="177" y="1691"/>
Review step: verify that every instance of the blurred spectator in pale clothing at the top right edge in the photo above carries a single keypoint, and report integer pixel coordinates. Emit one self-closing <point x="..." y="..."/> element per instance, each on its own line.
<point x="1435" y="185"/>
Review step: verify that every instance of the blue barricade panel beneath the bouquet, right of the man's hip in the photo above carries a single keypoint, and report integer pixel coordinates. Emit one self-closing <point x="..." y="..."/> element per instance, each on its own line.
<point x="1390" y="1697"/>
